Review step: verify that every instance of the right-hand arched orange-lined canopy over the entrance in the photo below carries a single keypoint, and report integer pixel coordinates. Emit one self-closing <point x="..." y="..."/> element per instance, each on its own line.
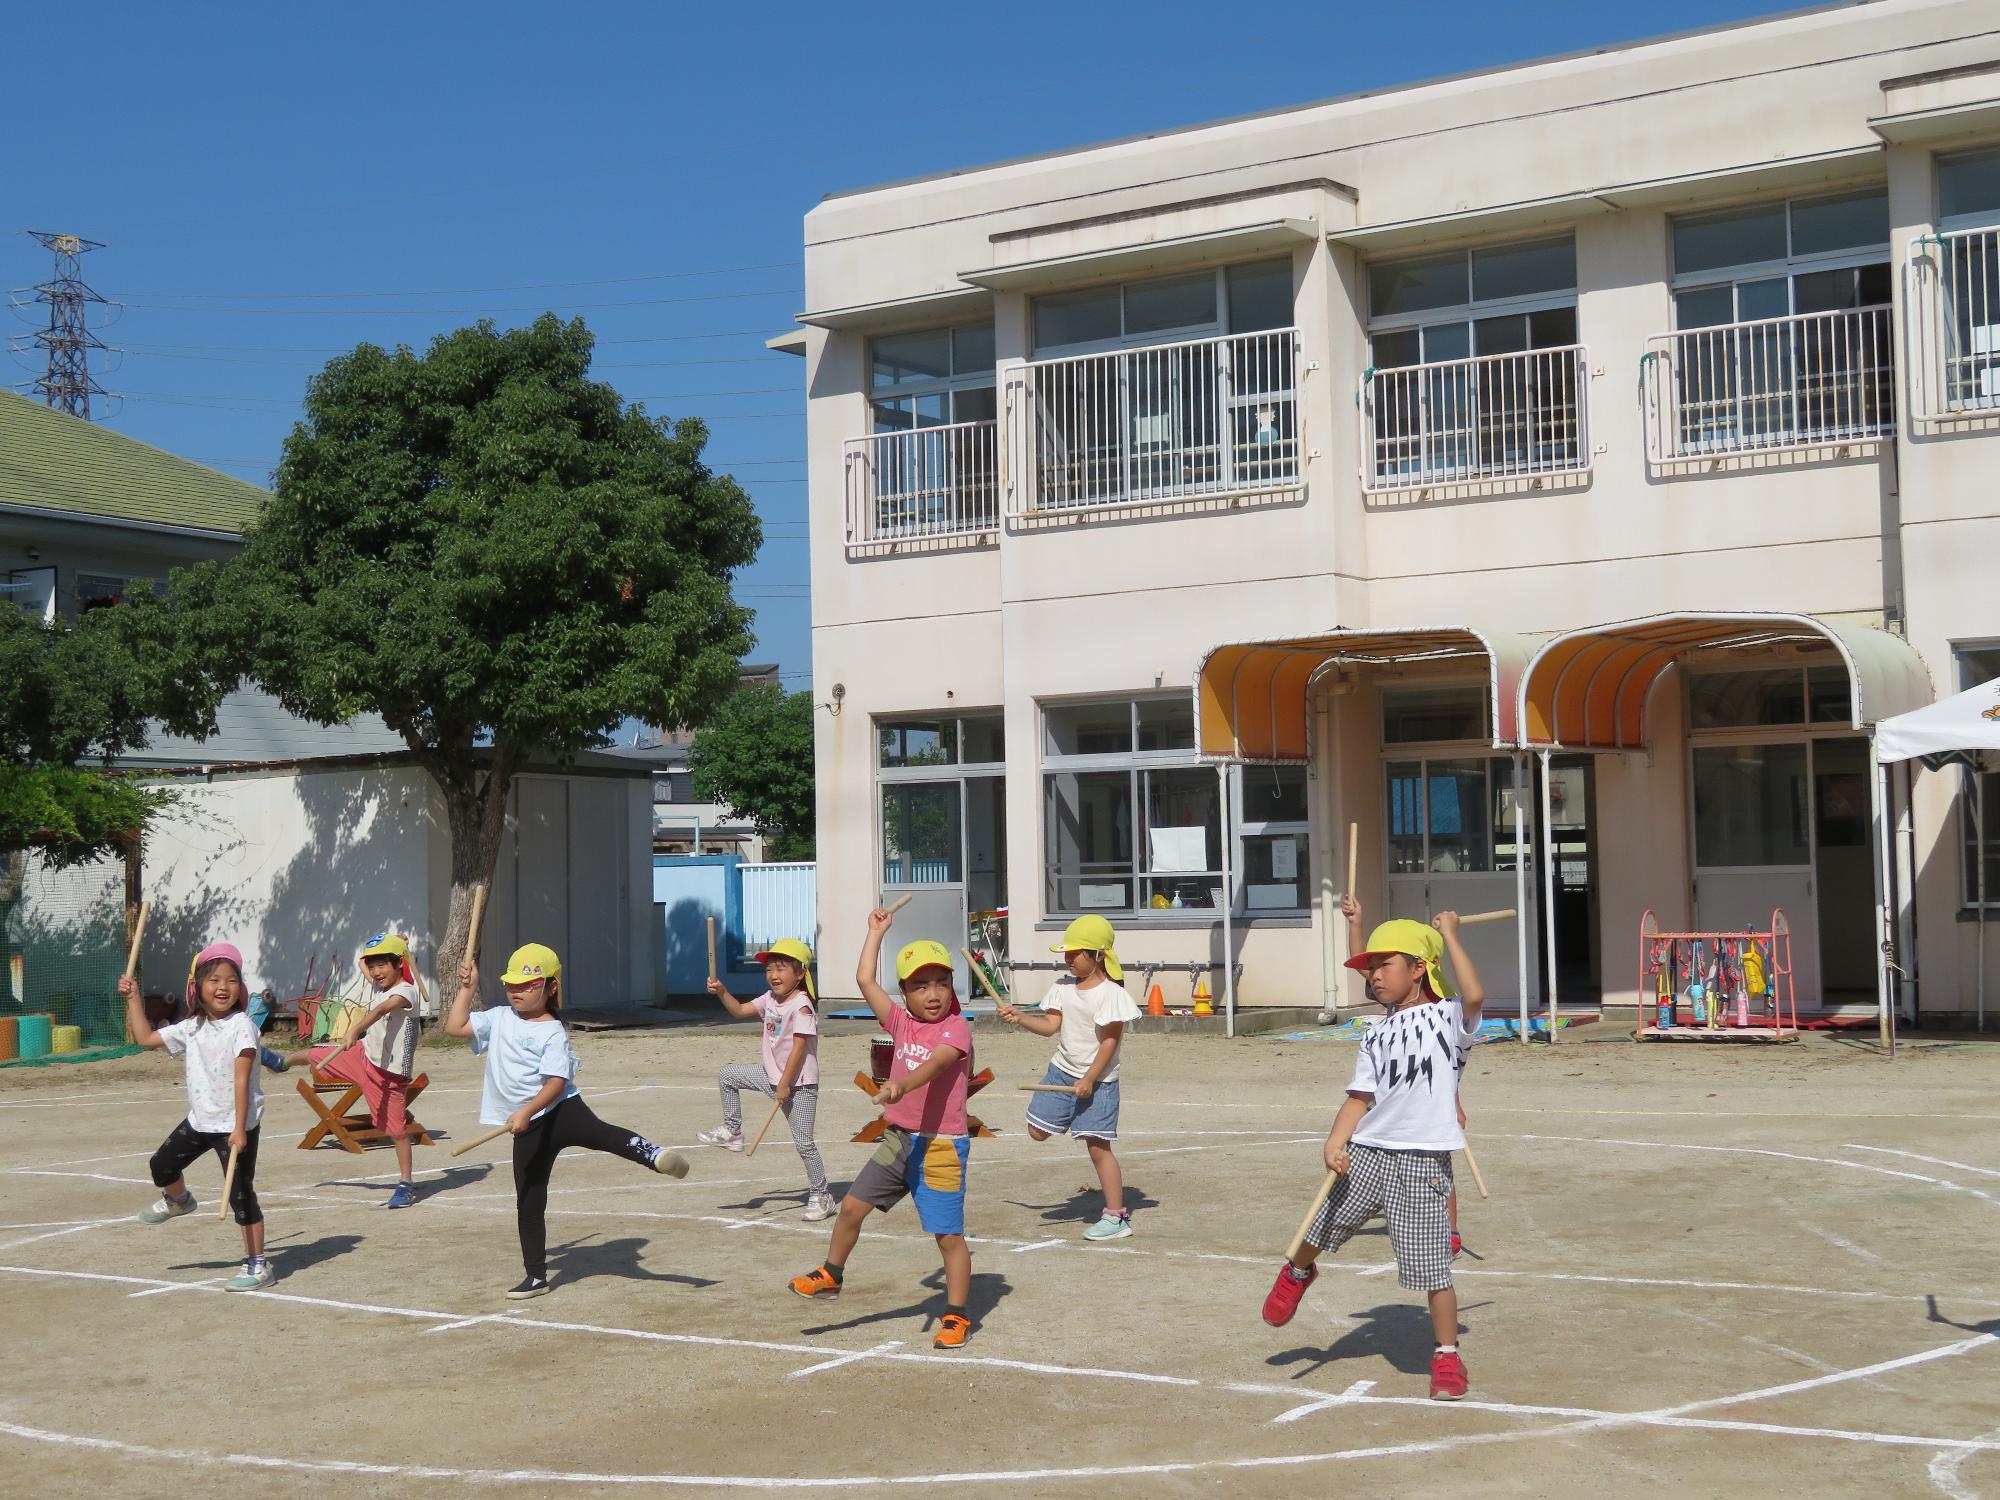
<point x="1587" y="689"/>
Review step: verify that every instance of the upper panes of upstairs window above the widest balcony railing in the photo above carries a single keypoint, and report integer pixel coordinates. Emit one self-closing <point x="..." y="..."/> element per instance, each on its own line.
<point x="1167" y="309"/>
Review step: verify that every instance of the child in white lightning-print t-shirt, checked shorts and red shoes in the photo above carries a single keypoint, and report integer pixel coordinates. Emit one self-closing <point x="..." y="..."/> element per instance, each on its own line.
<point x="1395" y="1135"/>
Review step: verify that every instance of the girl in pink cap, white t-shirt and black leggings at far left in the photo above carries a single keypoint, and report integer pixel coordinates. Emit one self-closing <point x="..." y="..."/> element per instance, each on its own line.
<point x="225" y="1099"/>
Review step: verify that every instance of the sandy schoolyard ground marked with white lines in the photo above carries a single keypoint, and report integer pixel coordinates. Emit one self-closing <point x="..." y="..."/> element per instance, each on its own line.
<point x="1703" y="1271"/>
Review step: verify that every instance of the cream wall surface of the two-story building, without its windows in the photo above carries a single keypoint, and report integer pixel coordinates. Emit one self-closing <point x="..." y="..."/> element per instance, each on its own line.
<point x="1605" y="147"/>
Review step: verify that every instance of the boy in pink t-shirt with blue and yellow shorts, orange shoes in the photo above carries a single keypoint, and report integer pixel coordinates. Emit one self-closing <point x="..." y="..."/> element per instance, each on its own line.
<point x="925" y="1145"/>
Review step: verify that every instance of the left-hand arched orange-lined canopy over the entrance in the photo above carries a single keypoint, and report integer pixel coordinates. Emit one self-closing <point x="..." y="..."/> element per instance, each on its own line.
<point x="1251" y="697"/>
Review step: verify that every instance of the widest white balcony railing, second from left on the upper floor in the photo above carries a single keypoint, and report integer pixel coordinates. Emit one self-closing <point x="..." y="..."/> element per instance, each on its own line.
<point x="1211" y="417"/>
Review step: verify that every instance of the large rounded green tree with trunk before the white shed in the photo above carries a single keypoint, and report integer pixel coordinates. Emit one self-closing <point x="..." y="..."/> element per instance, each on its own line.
<point x="497" y="555"/>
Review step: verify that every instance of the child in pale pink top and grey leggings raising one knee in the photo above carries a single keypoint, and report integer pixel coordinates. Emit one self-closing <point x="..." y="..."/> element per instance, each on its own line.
<point x="791" y="1069"/>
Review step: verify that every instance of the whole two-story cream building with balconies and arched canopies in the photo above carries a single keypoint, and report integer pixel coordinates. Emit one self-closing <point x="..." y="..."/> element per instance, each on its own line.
<point x="1549" y="473"/>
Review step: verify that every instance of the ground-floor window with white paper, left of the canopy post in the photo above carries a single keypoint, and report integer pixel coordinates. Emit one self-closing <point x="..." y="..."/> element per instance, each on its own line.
<point x="1129" y="829"/>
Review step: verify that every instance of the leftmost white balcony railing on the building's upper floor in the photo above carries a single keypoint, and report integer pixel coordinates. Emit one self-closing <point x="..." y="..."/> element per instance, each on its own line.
<point x="921" y="485"/>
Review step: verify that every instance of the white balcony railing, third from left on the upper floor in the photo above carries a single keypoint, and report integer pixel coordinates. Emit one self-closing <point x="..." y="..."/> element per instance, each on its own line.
<point x="1499" y="417"/>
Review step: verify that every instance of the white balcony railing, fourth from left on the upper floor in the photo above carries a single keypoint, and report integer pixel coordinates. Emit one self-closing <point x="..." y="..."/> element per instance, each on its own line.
<point x="1775" y="385"/>
